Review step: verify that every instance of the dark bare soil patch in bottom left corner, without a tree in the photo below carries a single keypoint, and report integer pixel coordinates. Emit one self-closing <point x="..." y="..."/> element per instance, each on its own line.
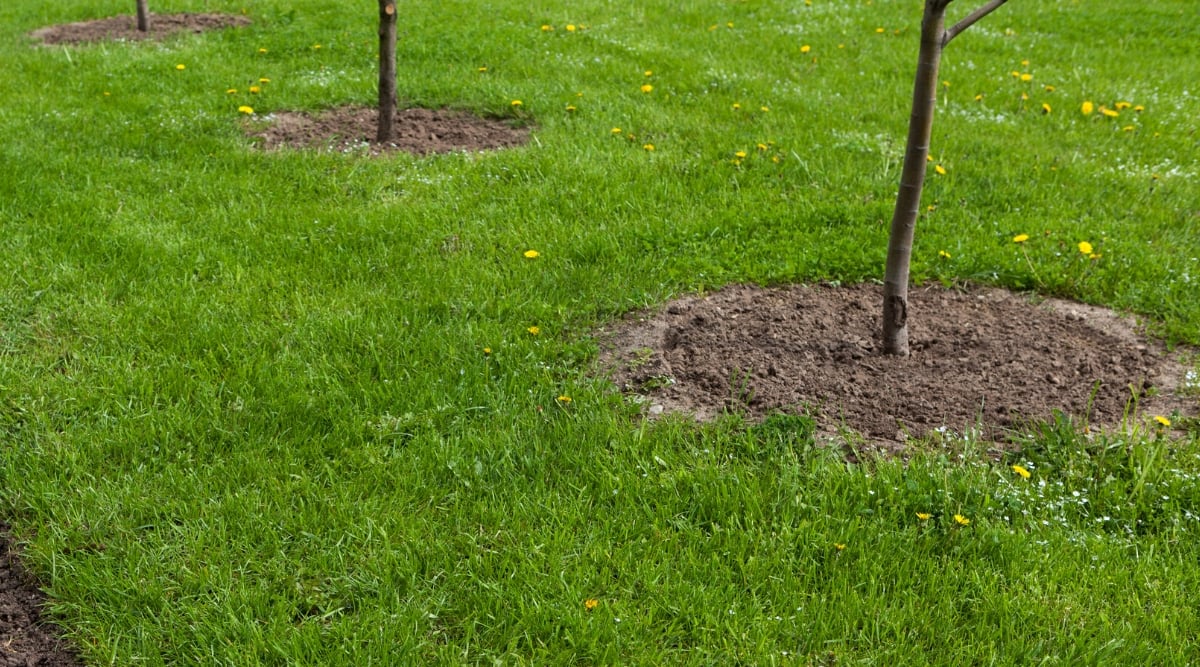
<point x="26" y="640"/>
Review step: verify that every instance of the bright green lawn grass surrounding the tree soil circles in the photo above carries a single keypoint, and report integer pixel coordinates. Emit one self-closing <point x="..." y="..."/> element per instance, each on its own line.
<point x="248" y="417"/>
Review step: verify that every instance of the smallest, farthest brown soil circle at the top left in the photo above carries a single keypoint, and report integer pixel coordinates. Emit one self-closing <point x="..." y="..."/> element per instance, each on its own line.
<point x="127" y="28"/>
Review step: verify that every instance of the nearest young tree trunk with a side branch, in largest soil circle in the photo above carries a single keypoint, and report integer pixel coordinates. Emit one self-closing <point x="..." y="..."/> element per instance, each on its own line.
<point x="934" y="38"/>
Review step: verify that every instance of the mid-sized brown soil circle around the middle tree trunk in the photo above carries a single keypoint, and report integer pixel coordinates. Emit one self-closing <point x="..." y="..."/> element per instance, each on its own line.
<point x="418" y="131"/>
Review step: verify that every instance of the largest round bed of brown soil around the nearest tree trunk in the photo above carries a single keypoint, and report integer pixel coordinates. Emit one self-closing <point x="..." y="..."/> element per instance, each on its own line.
<point x="983" y="362"/>
